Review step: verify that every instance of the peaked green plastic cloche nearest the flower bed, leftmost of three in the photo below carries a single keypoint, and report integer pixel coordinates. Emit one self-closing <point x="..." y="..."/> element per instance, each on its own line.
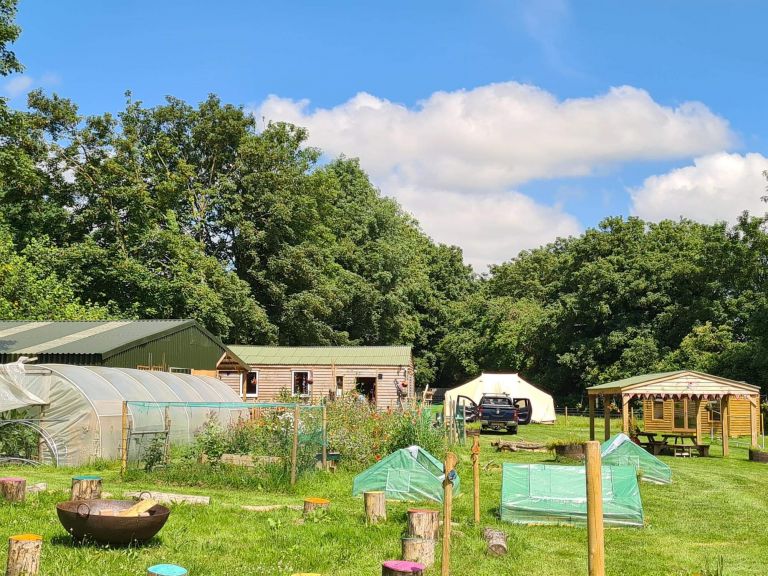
<point x="408" y="474"/>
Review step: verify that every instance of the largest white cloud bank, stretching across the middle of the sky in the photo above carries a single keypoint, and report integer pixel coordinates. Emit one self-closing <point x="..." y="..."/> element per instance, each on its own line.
<point x="455" y="159"/>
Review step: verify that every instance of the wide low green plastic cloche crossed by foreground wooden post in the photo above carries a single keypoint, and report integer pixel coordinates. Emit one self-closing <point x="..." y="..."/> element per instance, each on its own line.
<point x="552" y="494"/>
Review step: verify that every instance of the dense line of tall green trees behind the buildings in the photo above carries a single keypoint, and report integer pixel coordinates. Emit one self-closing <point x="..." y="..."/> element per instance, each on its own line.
<point x="192" y="211"/>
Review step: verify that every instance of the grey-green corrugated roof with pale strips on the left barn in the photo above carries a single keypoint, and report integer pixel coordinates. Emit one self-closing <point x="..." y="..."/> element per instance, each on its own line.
<point x="100" y="337"/>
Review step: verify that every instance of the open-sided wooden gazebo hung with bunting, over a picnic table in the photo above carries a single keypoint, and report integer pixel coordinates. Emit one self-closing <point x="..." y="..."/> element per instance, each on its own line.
<point x="682" y="401"/>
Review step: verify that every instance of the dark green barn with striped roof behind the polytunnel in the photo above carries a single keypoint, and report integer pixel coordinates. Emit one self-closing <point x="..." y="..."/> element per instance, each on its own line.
<point x="175" y="345"/>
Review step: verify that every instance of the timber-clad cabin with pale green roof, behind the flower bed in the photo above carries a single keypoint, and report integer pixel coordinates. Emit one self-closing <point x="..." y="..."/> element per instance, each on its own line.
<point x="260" y="373"/>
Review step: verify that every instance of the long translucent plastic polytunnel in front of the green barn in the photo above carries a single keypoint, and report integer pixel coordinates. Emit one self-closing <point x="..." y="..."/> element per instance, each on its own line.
<point x="82" y="410"/>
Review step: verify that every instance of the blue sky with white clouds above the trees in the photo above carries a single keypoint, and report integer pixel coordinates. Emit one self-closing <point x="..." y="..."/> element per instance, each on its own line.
<point x="499" y="125"/>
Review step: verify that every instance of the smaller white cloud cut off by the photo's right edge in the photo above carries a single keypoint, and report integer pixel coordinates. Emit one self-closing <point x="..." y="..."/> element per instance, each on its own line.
<point x="717" y="187"/>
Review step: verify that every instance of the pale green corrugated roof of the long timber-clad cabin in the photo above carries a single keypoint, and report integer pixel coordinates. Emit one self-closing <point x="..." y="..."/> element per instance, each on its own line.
<point x="324" y="355"/>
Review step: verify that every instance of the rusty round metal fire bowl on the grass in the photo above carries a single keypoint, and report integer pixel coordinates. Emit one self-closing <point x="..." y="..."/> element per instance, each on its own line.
<point x="81" y="519"/>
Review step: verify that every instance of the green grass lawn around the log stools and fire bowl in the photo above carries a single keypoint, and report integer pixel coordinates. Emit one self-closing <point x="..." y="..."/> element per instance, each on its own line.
<point x="715" y="508"/>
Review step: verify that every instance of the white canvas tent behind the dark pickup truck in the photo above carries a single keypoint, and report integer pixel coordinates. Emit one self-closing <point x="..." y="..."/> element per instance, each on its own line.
<point x="542" y="404"/>
